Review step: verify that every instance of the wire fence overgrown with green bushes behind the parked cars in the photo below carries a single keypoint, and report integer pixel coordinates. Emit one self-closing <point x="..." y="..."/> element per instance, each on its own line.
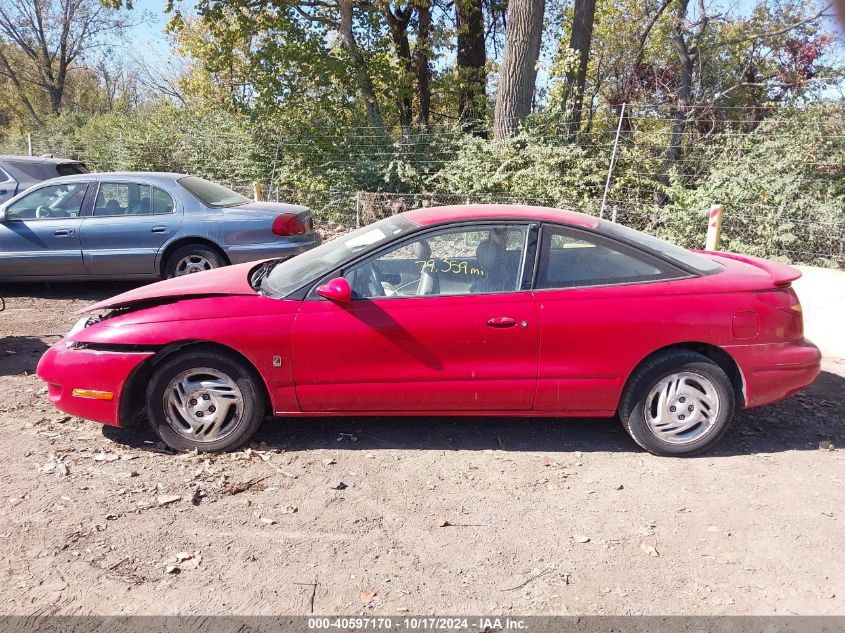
<point x="780" y="173"/>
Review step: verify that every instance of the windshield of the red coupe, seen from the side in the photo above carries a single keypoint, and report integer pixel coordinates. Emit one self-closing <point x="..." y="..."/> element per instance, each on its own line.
<point x="293" y="273"/>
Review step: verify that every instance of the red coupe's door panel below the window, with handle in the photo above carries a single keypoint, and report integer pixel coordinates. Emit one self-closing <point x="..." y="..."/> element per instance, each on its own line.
<point x="429" y="353"/>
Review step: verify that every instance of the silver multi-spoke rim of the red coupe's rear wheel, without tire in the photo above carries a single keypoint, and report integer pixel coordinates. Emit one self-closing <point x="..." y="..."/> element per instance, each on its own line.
<point x="682" y="408"/>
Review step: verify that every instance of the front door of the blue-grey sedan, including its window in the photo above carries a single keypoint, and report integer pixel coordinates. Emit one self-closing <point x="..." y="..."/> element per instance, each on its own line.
<point x="39" y="235"/>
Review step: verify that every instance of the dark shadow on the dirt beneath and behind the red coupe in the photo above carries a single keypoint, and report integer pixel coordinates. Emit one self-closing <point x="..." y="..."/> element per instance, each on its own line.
<point x="798" y="423"/>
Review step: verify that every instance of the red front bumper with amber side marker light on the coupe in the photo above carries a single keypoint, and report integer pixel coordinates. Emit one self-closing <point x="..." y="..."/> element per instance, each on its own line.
<point x="84" y="370"/>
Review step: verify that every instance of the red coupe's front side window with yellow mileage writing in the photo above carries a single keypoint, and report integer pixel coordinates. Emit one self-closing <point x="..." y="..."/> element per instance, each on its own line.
<point x="456" y="261"/>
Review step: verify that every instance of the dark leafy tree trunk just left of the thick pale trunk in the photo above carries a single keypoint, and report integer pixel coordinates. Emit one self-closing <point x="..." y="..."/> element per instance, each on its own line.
<point x="471" y="62"/>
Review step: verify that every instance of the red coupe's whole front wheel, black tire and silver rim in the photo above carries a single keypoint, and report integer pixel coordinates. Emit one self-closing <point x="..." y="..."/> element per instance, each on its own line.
<point x="205" y="399"/>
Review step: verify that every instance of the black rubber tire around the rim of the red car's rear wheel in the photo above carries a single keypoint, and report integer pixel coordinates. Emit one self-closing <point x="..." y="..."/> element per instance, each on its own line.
<point x="632" y="407"/>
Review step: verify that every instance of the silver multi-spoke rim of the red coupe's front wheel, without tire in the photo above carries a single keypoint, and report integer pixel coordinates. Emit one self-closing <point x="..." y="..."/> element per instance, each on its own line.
<point x="203" y="404"/>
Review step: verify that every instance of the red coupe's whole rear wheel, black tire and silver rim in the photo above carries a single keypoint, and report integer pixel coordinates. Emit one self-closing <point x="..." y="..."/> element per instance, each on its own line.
<point x="677" y="403"/>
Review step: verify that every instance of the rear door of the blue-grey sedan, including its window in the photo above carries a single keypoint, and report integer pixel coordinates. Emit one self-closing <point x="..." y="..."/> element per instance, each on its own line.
<point x="129" y="224"/>
